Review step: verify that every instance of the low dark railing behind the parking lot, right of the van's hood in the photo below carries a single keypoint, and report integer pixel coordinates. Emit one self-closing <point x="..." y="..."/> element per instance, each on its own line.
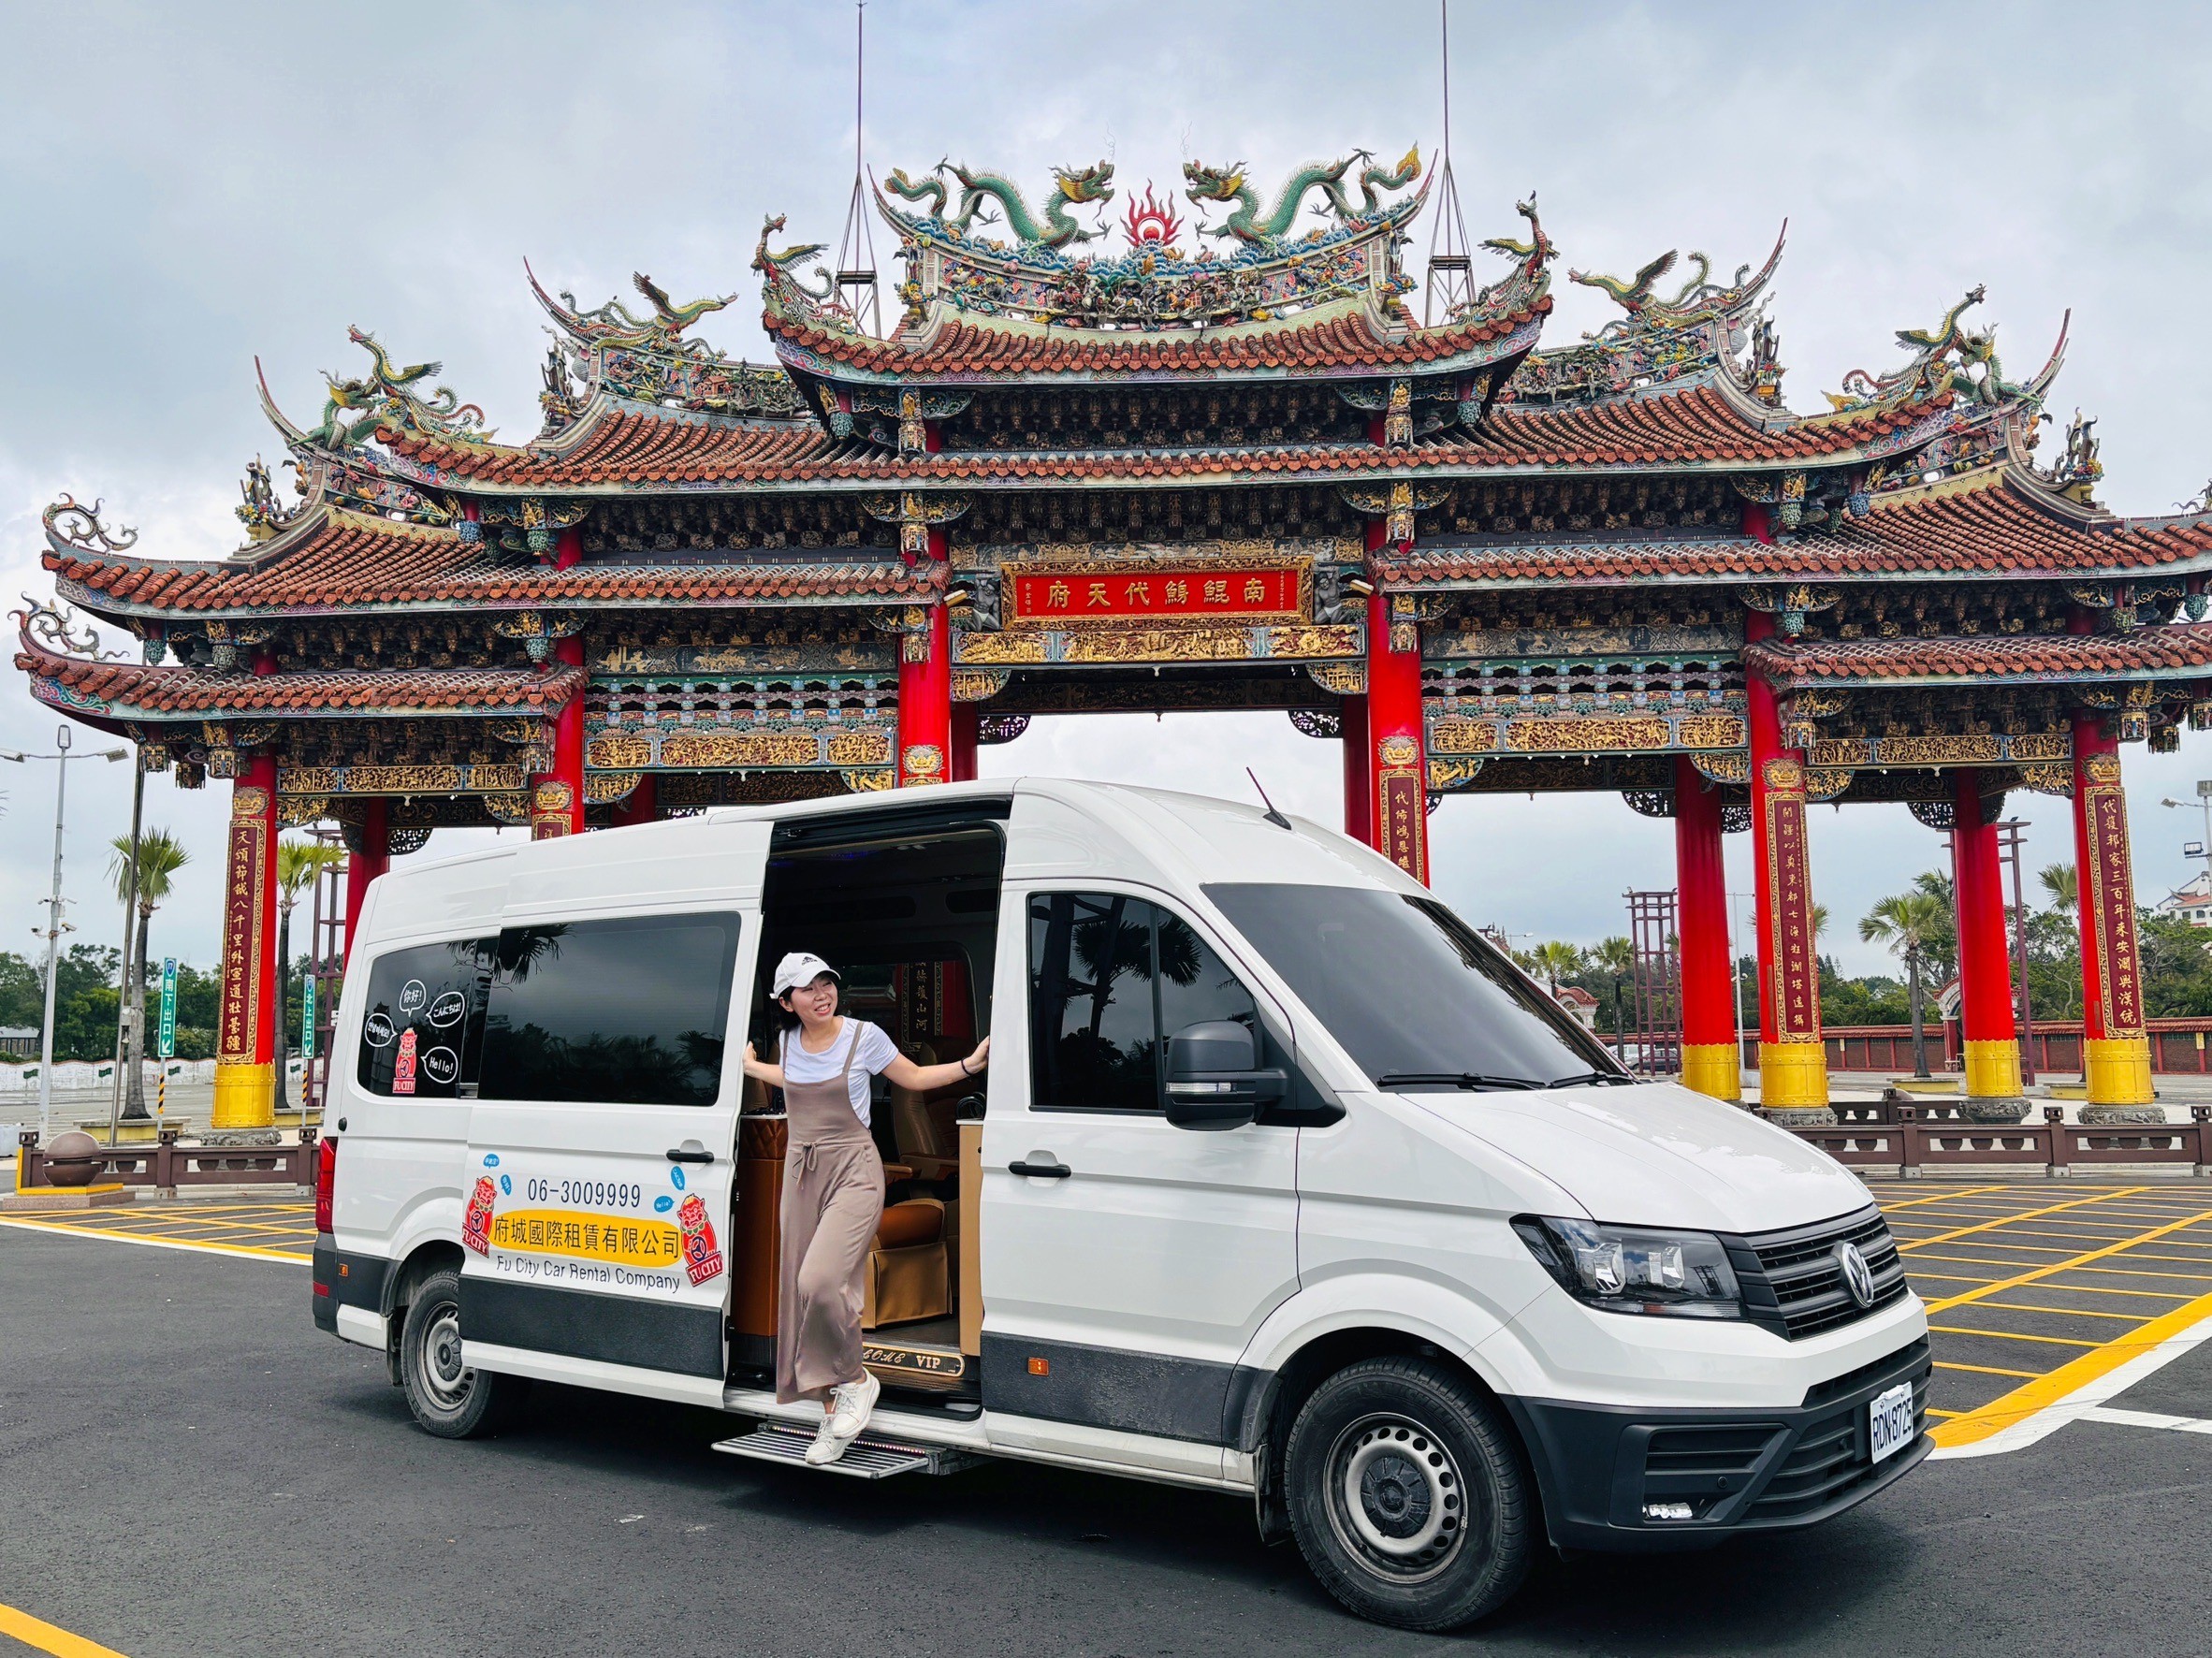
<point x="1910" y="1146"/>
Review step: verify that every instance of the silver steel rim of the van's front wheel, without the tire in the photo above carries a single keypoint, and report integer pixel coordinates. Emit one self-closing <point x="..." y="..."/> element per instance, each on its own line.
<point x="1397" y="1498"/>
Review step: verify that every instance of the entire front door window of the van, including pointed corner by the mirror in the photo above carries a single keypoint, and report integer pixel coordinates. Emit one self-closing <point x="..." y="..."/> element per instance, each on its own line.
<point x="1109" y="976"/>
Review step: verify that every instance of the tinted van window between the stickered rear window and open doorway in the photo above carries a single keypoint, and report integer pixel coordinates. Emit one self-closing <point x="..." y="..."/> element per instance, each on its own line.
<point x="623" y="1014"/>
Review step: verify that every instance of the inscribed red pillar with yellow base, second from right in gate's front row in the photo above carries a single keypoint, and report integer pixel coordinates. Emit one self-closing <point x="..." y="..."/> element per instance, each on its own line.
<point x="1793" y="1062"/>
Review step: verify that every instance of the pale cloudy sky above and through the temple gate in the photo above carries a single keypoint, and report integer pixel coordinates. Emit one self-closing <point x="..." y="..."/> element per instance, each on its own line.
<point x="189" y="187"/>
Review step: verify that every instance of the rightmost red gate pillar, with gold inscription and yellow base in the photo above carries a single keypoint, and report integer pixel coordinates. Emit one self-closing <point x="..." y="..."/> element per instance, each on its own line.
<point x="2116" y="1045"/>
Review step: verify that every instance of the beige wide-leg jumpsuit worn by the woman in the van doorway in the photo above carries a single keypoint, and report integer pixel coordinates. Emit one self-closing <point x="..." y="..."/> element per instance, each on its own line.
<point x="833" y="1204"/>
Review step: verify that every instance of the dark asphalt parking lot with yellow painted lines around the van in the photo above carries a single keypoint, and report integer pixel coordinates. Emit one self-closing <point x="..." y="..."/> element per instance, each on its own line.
<point x="194" y="1469"/>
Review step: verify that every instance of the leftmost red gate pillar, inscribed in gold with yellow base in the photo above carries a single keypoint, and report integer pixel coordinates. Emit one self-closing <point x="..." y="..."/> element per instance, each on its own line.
<point x="247" y="1033"/>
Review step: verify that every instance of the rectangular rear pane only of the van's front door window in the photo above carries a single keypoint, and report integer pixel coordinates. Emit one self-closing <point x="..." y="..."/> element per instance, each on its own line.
<point x="1092" y="1036"/>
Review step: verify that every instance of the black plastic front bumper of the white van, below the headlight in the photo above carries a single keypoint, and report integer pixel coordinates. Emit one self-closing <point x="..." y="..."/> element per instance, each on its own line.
<point x="1740" y="1471"/>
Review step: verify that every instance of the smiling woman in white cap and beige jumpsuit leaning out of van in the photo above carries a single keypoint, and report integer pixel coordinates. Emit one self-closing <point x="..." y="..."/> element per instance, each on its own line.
<point x="833" y="1190"/>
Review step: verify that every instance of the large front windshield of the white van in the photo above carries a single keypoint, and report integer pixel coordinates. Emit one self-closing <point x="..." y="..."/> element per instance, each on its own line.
<point x="1415" y="994"/>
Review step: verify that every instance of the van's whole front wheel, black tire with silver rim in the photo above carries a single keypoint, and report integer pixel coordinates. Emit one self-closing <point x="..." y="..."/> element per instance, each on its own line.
<point x="1408" y="1496"/>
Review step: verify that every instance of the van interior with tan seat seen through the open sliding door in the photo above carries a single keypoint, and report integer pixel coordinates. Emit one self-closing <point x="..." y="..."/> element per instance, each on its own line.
<point x="908" y="914"/>
